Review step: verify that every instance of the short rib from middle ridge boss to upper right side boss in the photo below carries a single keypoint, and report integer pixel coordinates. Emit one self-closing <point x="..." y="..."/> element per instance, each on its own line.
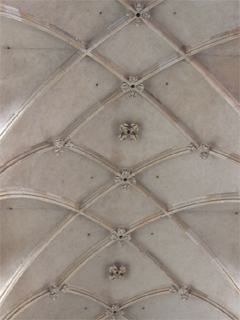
<point x="163" y="156"/>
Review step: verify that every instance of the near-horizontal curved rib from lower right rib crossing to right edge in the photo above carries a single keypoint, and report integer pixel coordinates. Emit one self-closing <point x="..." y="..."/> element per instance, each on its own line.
<point x="205" y="200"/>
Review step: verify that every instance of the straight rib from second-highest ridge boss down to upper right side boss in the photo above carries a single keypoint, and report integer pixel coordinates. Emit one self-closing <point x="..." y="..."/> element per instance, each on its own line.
<point x="171" y="117"/>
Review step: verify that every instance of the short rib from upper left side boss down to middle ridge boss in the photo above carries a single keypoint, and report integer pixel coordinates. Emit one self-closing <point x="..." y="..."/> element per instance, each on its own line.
<point x="96" y="157"/>
